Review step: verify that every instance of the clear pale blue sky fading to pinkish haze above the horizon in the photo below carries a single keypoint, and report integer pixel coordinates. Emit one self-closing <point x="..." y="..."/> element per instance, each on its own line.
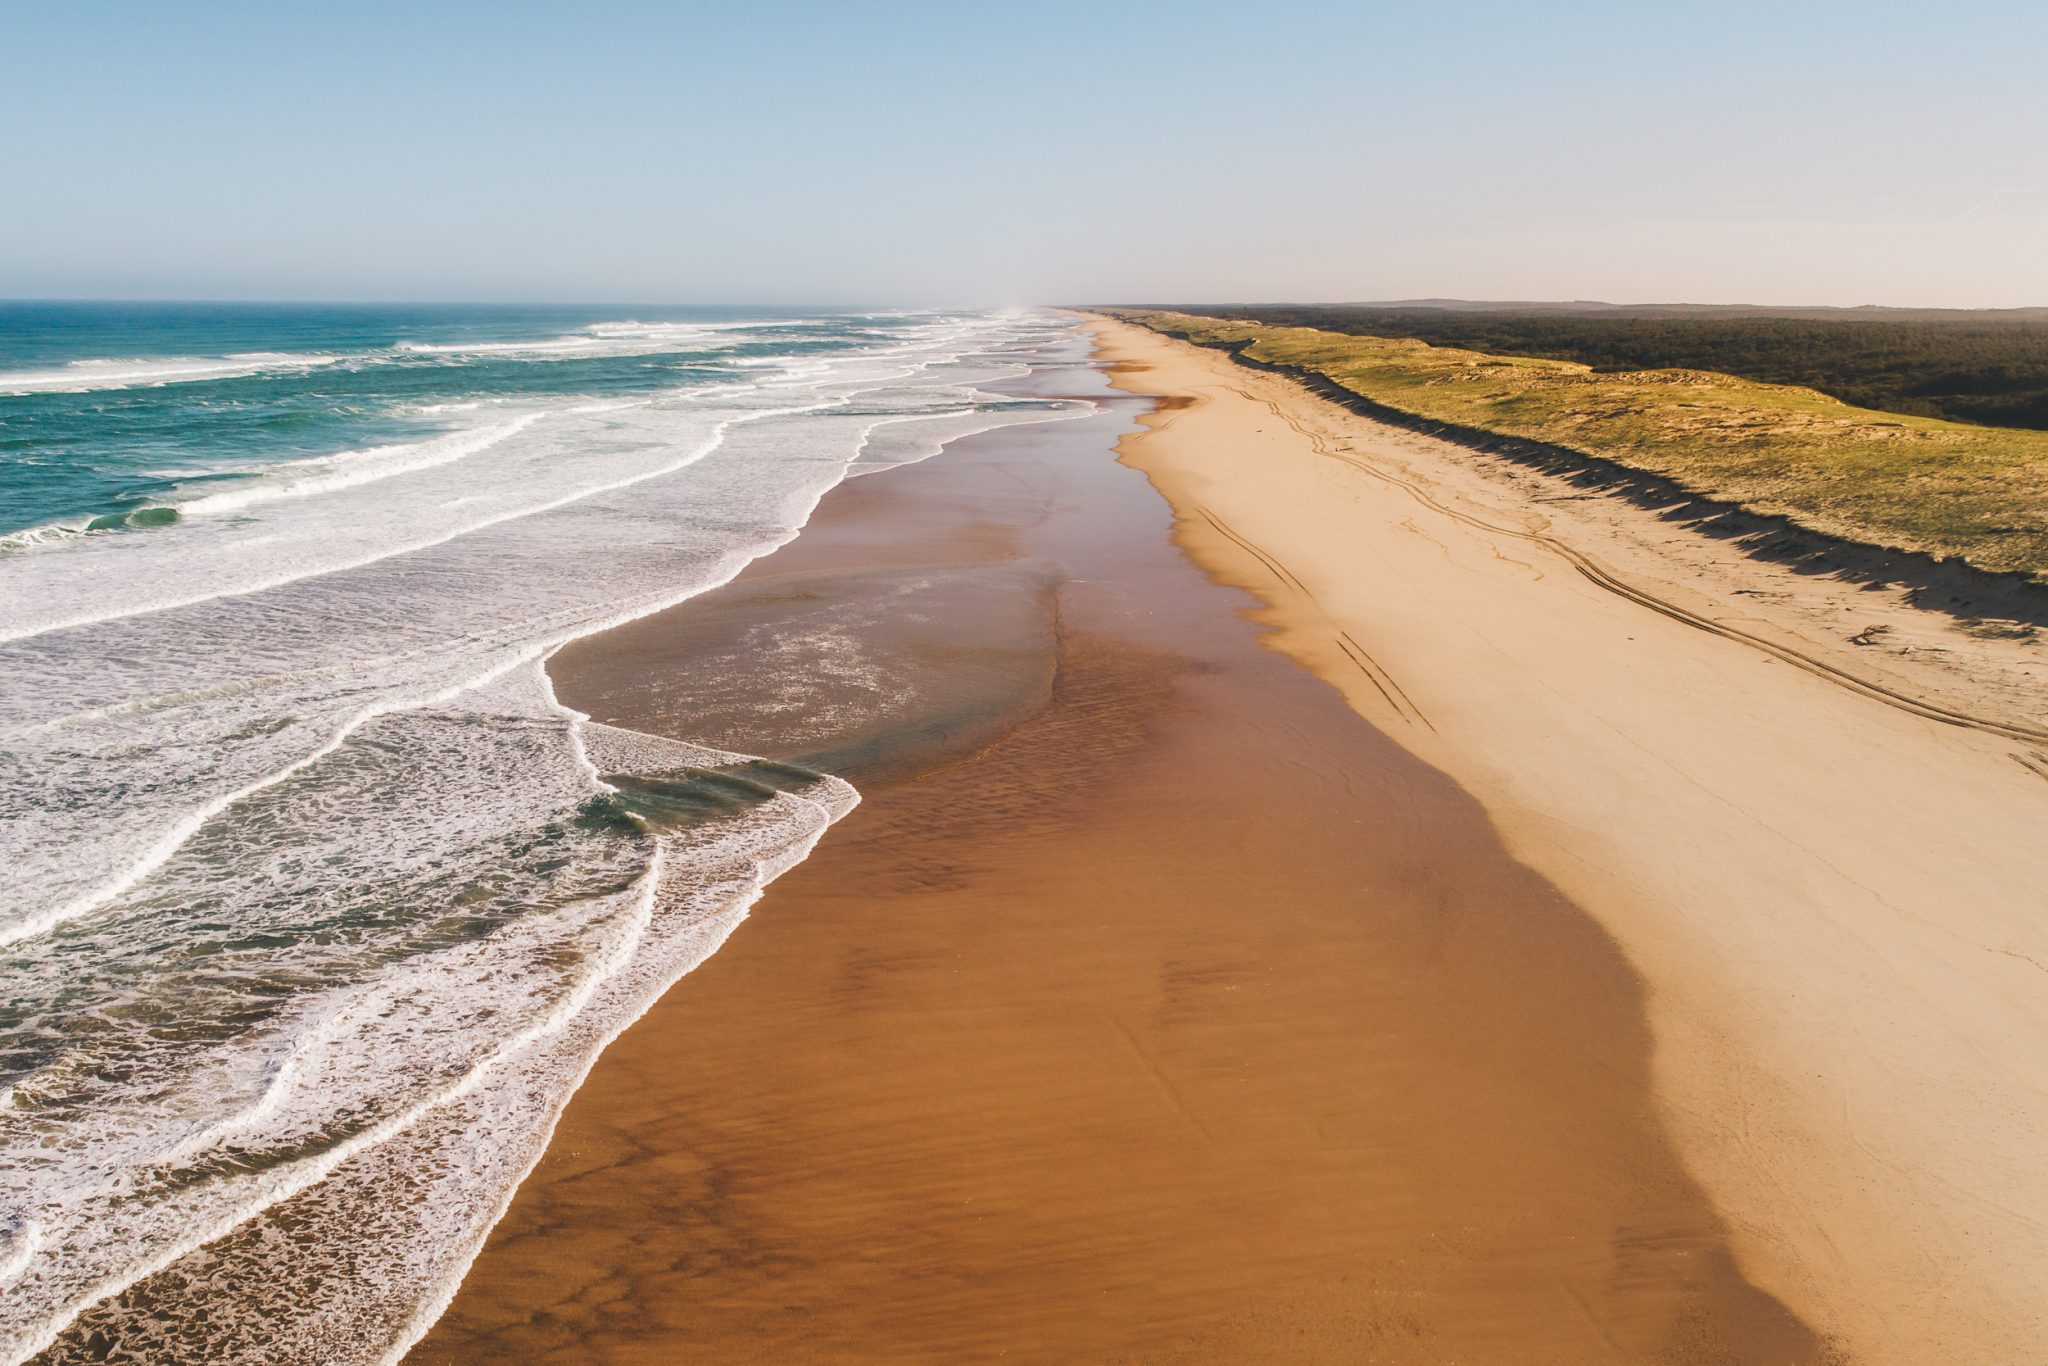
<point x="1025" y="153"/>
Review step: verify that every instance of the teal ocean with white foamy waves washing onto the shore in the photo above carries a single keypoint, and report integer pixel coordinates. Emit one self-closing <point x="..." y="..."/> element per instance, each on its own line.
<point x="318" y="906"/>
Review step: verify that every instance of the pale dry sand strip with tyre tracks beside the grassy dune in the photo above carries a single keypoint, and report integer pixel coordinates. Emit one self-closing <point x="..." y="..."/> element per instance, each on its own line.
<point x="1840" y="908"/>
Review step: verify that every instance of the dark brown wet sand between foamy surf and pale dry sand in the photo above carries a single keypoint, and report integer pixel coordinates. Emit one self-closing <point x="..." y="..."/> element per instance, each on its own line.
<point x="1152" y="1007"/>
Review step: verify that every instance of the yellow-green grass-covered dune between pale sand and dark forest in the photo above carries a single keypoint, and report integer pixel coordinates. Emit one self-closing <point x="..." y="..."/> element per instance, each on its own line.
<point x="1943" y="490"/>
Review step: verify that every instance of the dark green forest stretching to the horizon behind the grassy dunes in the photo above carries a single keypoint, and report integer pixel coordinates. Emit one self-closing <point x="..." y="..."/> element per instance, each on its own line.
<point x="1967" y="368"/>
